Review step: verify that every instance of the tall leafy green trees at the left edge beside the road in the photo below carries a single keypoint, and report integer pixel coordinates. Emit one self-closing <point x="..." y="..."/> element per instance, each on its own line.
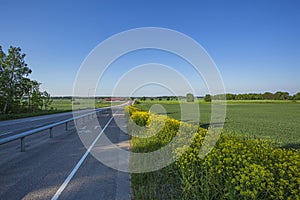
<point x="18" y="93"/>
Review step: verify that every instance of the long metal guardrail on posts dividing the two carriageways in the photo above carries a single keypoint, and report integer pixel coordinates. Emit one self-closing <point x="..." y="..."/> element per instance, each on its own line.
<point x="22" y="136"/>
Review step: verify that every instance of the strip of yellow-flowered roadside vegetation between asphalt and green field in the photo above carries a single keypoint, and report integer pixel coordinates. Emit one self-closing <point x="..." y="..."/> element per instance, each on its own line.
<point x="238" y="167"/>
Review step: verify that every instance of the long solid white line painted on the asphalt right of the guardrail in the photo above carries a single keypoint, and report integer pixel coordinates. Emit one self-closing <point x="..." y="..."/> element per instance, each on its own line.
<point x="68" y="179"/>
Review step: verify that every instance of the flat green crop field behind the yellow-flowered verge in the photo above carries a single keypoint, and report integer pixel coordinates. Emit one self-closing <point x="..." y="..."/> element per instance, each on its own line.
<point x="276" y="120"/>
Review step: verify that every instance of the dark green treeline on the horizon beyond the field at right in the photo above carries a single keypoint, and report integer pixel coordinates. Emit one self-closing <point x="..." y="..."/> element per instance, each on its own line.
<point x="258" y="96"/>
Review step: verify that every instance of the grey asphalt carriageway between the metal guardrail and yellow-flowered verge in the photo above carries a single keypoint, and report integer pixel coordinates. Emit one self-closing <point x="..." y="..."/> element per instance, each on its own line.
<point x="62" y="167"/>
